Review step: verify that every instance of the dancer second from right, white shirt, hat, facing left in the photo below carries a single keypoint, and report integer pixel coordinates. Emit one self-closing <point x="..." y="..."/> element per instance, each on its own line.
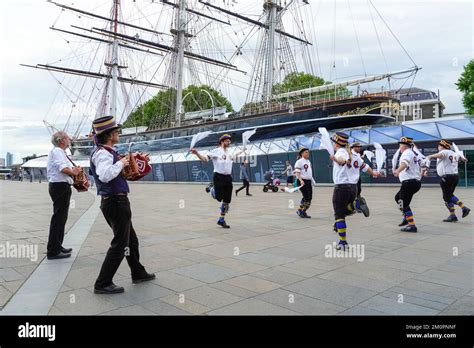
<point x="409" y="172"/>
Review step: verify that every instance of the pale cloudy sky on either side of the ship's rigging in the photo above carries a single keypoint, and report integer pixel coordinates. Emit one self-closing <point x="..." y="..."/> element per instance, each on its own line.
<point x="437" y="34"/>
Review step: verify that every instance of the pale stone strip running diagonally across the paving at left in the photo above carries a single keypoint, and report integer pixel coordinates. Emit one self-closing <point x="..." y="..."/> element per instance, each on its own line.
<point x="38" y="293"/>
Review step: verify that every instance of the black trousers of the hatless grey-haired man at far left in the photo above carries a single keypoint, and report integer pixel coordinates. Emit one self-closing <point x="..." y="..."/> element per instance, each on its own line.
<point x="60" y="193"/>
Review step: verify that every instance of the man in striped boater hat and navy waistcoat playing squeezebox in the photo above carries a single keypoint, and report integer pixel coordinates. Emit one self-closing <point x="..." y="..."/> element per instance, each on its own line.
<point x="106" y="167"/>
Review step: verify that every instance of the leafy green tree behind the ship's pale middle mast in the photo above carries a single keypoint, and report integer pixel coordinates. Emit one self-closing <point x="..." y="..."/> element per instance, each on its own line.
<point x="159" y="111"/>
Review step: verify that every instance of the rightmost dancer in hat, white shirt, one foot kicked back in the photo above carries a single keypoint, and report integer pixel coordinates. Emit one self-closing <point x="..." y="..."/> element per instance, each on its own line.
<point x="447" y="168"/>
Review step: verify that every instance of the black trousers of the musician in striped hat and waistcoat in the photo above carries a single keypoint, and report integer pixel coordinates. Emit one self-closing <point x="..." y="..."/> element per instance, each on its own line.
<point x="117" y="213"/>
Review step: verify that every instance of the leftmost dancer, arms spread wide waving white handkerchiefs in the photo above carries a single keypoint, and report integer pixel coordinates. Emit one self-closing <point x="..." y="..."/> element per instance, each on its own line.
<point x="222" y="159"/>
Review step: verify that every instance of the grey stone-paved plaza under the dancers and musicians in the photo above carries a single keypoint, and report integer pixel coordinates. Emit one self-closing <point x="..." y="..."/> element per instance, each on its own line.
<point x="270" y="262"/>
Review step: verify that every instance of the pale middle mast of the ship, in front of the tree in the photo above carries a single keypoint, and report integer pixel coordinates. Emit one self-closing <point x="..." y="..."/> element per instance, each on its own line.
<point x="180" y="59"/>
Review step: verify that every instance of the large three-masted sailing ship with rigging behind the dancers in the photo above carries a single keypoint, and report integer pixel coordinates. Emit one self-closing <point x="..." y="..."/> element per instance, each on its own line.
<point x="272" y="113"/>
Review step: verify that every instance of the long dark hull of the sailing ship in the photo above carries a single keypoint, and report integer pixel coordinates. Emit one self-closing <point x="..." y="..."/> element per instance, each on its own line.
<point x="283" y="123"/>
